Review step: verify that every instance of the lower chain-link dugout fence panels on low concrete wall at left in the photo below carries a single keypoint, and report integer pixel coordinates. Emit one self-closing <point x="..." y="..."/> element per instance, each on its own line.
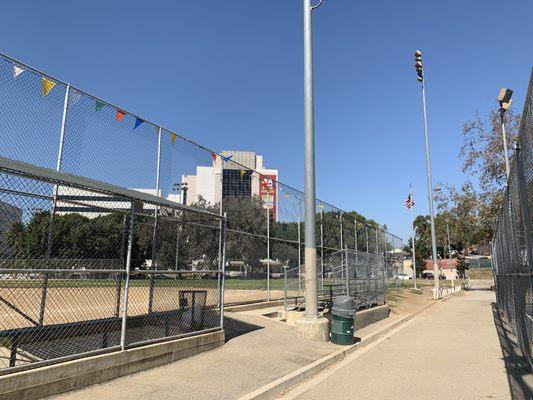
<point x="87" y="267"/>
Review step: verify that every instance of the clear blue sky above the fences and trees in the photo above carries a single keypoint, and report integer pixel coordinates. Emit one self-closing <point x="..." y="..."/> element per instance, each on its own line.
<point x="229" y="74"/>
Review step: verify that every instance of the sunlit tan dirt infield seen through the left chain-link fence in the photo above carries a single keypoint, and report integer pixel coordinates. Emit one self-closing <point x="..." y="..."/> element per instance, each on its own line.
<point x="85" y="303"/>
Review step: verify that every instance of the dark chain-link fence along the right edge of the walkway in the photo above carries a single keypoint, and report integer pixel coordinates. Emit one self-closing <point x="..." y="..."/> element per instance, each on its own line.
<point x="513" y="241"/>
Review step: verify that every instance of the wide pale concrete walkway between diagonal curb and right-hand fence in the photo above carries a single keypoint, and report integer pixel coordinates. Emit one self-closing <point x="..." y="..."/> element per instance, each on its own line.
<point x="450" y="351"/>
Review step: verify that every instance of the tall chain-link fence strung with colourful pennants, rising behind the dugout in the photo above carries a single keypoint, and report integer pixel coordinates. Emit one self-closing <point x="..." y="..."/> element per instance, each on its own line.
<point x="49" y="123"/>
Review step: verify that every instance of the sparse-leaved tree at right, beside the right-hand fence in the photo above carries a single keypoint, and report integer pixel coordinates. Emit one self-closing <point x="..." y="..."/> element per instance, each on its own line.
<point x="472" y="209"/>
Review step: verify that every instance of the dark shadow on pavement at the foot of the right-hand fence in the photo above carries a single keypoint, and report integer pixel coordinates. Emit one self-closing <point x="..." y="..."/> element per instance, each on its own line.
<point x="518" y="373"/>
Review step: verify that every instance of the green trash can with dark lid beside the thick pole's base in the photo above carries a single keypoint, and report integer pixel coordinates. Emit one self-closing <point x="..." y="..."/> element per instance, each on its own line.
<point x="342" y="320"/>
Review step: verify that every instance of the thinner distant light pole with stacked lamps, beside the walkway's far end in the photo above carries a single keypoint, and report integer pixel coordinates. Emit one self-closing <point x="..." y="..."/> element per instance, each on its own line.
<point x="420" y="71"/>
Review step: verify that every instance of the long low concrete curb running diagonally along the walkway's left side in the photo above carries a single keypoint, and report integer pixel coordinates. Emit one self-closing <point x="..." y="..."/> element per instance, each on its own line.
<point x="281" y="385"/>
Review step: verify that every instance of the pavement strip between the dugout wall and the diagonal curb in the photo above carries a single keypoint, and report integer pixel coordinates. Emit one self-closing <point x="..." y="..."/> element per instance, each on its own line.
<point x="270" y="351"/>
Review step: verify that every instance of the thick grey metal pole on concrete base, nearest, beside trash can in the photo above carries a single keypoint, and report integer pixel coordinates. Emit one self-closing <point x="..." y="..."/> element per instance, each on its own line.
<point x="311" y="287"/>
